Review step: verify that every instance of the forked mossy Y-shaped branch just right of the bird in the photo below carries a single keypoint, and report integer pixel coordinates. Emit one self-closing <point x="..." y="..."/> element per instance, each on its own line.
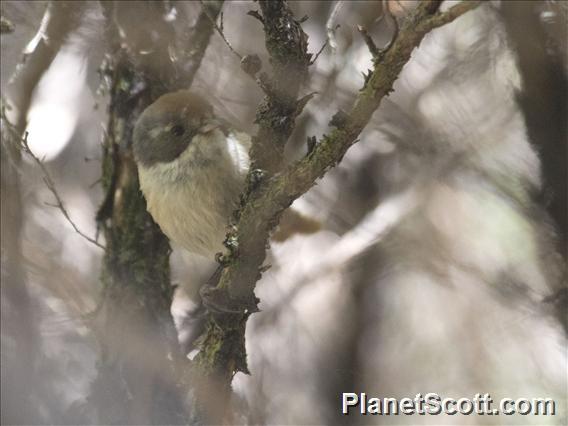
<point x="272" y="190"/>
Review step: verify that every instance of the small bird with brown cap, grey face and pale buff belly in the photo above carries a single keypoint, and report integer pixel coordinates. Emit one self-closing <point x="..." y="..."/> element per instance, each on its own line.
<point x="192" y="168"/>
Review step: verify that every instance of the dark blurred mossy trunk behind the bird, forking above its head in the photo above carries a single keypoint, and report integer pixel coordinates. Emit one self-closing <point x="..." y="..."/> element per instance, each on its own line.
<point x="141" y="367"/>
